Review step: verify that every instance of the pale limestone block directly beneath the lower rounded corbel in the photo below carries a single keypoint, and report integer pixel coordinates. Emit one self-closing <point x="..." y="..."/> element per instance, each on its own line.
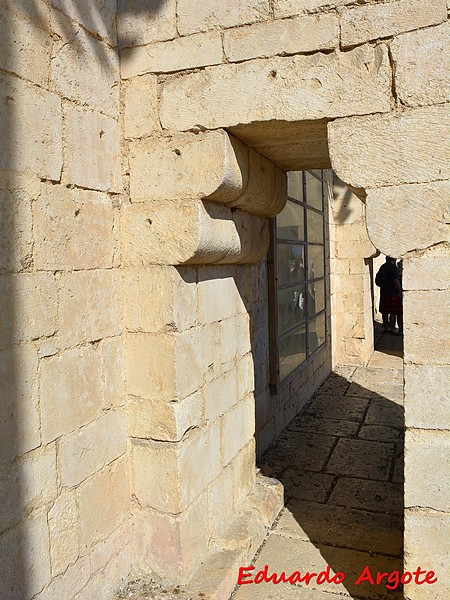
<point x="160" y="298"/>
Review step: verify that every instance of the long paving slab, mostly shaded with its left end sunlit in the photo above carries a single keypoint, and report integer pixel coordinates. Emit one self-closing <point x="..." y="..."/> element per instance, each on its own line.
<point x="342" y="526"/>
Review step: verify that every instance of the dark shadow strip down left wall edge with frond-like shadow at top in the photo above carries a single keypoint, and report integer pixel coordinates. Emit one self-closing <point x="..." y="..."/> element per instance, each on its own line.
<point x="19" y="419"/>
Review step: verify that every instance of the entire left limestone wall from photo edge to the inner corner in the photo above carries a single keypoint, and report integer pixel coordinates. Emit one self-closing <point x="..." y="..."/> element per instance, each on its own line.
<point x="64" y="494"/>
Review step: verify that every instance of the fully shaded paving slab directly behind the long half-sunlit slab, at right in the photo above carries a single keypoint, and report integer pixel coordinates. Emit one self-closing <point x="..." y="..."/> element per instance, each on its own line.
<point x="377" y="496"/>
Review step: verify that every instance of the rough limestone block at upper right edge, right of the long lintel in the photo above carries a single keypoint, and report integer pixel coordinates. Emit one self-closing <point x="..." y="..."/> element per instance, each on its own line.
<point x="421" y="66"/>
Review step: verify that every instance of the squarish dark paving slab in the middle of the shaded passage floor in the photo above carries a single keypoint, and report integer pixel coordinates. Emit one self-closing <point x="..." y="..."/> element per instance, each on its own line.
<point x="361" y="458"/>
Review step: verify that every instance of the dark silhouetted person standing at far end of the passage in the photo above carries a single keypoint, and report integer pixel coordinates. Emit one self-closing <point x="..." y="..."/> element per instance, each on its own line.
<point x="389" y="281"/>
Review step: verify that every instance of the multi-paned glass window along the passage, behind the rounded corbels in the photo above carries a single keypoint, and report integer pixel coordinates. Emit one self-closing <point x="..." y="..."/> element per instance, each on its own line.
<point x="297" y="289"/>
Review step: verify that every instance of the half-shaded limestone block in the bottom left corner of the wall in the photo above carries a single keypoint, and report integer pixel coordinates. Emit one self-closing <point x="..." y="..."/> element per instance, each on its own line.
<point x="25" y="549"/>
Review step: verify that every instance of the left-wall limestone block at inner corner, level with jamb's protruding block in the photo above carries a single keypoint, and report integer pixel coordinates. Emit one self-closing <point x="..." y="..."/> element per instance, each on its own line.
<point x="87" y="450"/>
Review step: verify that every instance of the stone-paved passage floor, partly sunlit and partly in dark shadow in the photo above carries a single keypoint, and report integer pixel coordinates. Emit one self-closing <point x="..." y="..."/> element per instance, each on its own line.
<point x="341" y="463"/>
